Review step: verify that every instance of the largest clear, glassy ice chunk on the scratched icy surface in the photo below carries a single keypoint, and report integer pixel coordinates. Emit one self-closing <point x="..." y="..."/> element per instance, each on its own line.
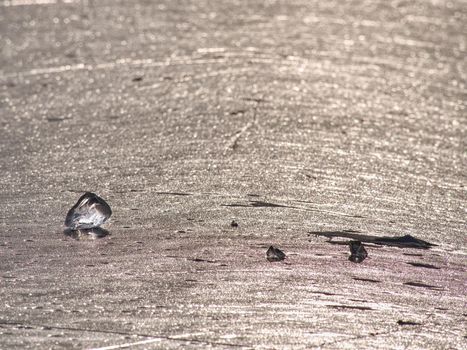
<point x="89" y="212"/>
